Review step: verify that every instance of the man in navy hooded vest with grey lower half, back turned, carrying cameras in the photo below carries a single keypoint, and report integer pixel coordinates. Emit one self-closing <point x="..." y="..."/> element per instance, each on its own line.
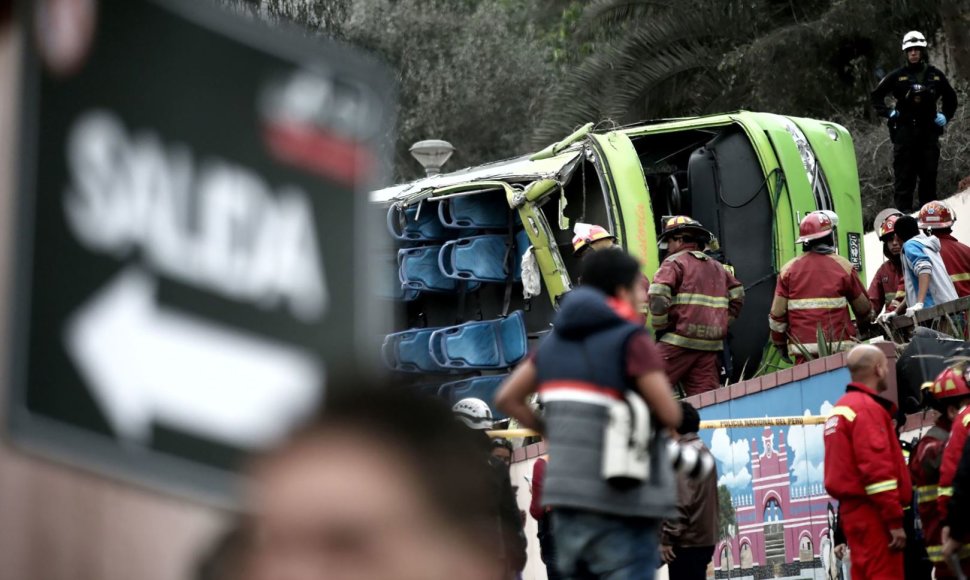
<point x="594" y="361"/>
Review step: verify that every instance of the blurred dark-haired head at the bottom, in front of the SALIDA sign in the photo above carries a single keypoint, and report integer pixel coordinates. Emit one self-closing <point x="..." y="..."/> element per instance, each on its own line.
<point x="381" y="485"/>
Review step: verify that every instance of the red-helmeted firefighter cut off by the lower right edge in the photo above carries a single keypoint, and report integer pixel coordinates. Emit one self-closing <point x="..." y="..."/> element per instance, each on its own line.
<point x="952" y="383"/>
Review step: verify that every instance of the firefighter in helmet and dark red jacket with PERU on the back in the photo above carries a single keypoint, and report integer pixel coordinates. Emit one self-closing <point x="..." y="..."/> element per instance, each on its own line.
<point x="693" y="299"/>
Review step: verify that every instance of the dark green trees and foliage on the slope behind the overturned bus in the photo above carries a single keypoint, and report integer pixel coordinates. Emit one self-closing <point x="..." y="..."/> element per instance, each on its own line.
<point x="499" y="78"/>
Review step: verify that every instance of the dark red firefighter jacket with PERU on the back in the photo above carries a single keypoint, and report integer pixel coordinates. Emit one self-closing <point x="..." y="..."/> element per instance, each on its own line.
<point x="694" y="298"/>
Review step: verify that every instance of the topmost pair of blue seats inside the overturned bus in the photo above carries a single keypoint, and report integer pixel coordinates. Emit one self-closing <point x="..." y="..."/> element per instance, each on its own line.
<point x="427" y="223"/>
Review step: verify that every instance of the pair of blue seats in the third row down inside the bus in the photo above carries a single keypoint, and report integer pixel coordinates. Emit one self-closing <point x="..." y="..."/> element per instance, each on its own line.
<point x="479" y="345"/>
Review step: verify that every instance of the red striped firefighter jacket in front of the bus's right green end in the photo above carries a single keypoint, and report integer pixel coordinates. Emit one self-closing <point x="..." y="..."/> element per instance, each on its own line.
<point x="812" y="292"/>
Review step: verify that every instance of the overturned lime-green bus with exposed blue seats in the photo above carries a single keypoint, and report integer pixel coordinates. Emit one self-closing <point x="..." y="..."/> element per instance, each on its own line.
<point x="748" y="177"/>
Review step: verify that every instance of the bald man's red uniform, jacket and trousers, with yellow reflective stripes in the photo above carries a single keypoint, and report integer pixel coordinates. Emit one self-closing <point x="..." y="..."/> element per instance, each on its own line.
<point x="866" y="472"/>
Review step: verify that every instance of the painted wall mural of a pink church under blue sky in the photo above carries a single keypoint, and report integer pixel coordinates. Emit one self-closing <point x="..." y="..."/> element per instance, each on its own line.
<point x="772" y="477"/>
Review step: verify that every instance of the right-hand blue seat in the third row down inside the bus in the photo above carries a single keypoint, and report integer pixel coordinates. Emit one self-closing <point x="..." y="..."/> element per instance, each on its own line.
<point x="488" y="344"/>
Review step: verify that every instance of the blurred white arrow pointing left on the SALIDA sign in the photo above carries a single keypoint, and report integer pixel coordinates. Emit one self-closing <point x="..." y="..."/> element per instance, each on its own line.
<point x="143" y="363"/>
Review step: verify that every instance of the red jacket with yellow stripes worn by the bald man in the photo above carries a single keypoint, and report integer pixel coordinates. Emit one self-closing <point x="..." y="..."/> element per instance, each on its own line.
<point x="863" y="459"/>
